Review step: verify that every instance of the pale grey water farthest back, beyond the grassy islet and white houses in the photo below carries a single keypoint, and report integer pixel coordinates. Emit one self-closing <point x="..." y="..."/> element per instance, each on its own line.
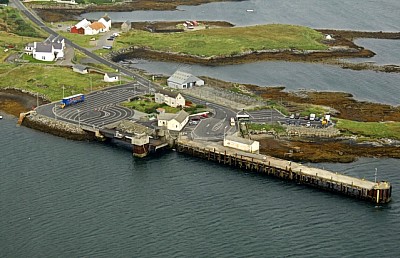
<point x="334" y="14"/>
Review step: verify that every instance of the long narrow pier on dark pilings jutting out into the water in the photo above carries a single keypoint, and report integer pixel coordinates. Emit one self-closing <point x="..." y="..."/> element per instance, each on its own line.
<point x="376" y="192"/>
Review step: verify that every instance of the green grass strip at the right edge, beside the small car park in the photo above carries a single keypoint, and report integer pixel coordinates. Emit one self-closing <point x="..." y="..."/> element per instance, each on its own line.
<point x="373" y="130"/>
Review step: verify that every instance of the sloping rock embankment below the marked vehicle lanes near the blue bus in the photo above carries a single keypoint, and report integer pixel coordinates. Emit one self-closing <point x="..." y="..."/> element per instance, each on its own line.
<point x="56" y="127"/>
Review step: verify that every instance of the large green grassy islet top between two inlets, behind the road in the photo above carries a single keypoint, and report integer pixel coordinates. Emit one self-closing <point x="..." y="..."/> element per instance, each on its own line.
<point x="227" y="41"/>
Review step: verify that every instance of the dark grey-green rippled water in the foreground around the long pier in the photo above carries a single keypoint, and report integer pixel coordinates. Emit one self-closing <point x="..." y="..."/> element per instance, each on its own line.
<point x="61" y="198"/>
